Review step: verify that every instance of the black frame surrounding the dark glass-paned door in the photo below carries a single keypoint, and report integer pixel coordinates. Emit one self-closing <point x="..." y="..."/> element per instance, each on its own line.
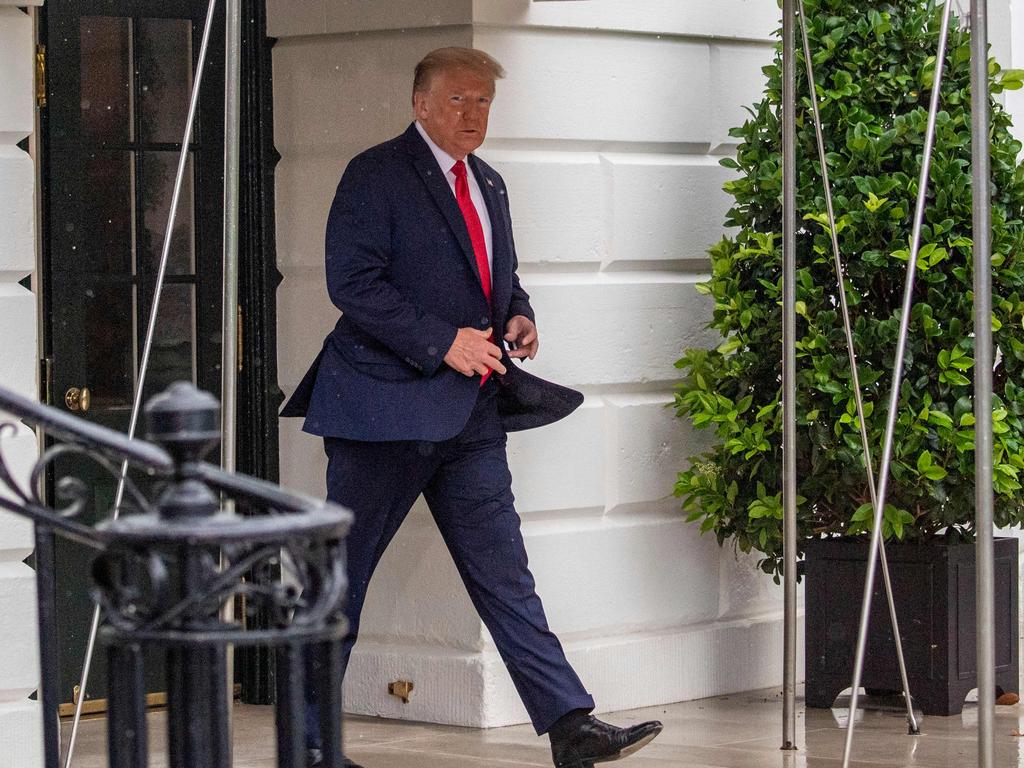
<point x="260" y="397"/>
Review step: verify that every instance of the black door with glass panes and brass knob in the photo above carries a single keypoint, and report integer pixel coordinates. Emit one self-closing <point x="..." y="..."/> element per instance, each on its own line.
<point x="120" y="74"/>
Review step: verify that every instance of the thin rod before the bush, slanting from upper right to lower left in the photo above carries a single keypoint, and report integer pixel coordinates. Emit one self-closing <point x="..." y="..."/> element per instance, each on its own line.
<point x="887" y="448"/>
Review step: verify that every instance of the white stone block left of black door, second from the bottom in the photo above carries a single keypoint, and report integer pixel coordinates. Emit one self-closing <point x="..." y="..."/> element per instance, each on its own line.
<point x="19" y="633"/>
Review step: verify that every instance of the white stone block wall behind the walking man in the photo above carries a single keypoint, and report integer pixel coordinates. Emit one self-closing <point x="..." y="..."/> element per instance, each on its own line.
<point x="608" y="131"/>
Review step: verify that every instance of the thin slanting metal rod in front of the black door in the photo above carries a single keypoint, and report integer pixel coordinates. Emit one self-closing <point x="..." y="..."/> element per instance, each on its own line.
<point x="147" y="351"/>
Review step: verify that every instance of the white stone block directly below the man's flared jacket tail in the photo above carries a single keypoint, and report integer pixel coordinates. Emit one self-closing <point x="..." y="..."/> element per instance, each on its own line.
<point x="563" y="466"/>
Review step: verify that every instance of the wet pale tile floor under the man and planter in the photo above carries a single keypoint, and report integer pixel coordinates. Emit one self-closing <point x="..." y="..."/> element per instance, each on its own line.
<point x="737" y="732"/>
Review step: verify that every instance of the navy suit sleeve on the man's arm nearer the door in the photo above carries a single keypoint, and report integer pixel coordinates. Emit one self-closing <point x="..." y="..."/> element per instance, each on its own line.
<point x="359" y="252"/>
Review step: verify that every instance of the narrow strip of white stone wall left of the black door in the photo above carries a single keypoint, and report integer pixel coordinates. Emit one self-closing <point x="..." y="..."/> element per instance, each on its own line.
<point x="21" y="733"/>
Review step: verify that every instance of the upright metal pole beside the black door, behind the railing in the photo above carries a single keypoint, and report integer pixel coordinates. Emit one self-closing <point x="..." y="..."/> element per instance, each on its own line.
<point x="230" y="351"/>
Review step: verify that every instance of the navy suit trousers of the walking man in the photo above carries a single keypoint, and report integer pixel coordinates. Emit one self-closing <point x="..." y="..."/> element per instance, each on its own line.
<point x="467" y="486"/>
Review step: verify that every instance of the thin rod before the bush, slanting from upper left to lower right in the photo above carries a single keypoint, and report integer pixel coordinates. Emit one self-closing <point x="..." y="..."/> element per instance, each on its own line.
<point x="851" y="350"/>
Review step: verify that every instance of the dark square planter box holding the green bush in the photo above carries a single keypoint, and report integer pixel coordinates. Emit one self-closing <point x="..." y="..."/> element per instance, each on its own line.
<point x="933" y="585"/>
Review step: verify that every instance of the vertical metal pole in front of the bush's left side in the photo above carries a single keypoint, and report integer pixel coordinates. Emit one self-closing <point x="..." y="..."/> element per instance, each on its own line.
<point x="790" y="374"/>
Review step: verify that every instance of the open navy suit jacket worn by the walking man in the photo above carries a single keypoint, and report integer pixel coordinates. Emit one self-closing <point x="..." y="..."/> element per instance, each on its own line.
<point x="401" y="269"/>
